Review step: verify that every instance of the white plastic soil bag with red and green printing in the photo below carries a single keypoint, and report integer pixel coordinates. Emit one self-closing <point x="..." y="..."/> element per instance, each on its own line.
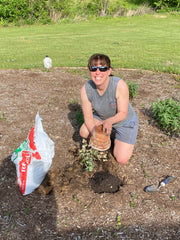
<point x="33" y="158"/>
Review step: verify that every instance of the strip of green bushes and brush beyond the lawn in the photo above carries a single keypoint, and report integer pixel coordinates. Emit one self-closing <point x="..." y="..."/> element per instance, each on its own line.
<point x="45" y="11"/>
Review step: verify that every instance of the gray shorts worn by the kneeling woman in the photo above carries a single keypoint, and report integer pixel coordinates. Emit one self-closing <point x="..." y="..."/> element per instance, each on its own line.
<point x="128" y="132"/>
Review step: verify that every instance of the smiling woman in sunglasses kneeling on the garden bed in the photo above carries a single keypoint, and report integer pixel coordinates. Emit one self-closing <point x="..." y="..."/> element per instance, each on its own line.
<point x="105" y="100"/>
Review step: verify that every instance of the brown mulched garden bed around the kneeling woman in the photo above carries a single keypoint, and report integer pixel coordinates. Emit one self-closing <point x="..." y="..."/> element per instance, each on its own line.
<point x="66" y="205"/>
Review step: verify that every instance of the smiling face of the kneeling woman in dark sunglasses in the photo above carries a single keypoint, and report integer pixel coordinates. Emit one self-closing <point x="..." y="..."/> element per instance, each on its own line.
<point x="100" y="78"/>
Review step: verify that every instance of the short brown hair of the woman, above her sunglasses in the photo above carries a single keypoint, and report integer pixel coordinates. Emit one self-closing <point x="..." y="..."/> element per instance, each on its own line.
<point x="104" y="60"/>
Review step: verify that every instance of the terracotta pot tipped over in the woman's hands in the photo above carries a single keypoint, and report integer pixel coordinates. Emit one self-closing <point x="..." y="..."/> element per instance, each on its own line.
<point x="100" y="140"/>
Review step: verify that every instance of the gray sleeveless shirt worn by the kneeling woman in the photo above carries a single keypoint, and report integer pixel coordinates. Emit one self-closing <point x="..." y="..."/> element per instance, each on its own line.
<point x="105" y="106"/>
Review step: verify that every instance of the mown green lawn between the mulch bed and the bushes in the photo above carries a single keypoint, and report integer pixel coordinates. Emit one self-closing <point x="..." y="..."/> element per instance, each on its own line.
<point x="141" y="42"/>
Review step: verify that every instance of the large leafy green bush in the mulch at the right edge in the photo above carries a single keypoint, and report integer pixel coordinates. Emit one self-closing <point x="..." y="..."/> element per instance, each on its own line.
<point x="167" y="114"/>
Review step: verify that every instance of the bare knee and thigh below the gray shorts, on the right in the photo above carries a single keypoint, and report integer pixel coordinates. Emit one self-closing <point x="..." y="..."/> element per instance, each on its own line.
<point x="122" y="151"/>
